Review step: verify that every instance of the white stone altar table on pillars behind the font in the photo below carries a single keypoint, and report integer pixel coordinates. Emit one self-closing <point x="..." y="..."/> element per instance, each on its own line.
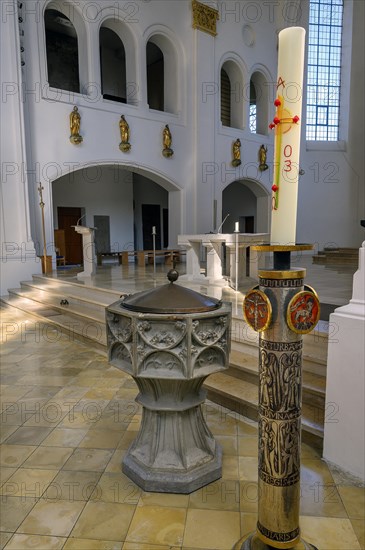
<point x="213" y="242"/>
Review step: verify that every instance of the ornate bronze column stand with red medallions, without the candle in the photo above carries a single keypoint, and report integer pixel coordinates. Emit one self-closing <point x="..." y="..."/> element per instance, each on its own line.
<point x="281" y="308"/>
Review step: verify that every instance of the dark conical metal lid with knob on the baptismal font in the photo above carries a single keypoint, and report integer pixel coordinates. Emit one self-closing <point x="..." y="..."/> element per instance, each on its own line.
<point x="170" y="298"/>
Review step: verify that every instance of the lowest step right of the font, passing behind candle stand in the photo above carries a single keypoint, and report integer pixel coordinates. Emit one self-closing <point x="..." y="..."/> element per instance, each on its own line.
<point x="242" y="397"/>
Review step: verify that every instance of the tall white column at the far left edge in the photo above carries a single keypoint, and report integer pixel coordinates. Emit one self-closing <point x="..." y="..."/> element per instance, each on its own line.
<point x="18" y="257"/>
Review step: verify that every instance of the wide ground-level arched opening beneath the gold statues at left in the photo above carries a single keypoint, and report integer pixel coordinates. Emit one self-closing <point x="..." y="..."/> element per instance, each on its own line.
<point x="123" y="204"/>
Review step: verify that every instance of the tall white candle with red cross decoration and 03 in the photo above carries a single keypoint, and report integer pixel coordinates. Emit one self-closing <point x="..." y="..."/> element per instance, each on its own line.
<point x="287" y="124"/>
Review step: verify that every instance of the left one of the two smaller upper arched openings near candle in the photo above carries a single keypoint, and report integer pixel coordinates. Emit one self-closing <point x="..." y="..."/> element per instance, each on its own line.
<point x="231" y="95"/>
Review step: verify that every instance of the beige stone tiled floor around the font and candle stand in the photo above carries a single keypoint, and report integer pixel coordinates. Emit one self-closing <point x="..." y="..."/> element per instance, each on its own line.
<point x="68" y="418"/>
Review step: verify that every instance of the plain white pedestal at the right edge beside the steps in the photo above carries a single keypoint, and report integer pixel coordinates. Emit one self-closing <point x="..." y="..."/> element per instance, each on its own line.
<point x="344" y="428"/>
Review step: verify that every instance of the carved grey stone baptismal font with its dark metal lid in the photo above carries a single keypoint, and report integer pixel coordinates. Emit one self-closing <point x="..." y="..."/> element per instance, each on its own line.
<point x="169" y="340"/>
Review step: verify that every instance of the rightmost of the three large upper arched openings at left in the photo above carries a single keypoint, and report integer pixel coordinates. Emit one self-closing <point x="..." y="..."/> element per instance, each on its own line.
<point x="162" y="74"/>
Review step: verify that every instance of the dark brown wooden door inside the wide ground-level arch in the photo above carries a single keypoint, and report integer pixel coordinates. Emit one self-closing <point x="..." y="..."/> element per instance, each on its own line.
<point x="67" y="217"/>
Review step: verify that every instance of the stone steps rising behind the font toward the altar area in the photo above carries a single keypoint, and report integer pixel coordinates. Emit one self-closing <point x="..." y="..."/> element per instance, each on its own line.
<point x="79" y="311"/>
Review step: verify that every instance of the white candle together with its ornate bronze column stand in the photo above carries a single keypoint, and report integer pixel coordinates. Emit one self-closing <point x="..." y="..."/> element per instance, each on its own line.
<point x="281" y="308"/>
